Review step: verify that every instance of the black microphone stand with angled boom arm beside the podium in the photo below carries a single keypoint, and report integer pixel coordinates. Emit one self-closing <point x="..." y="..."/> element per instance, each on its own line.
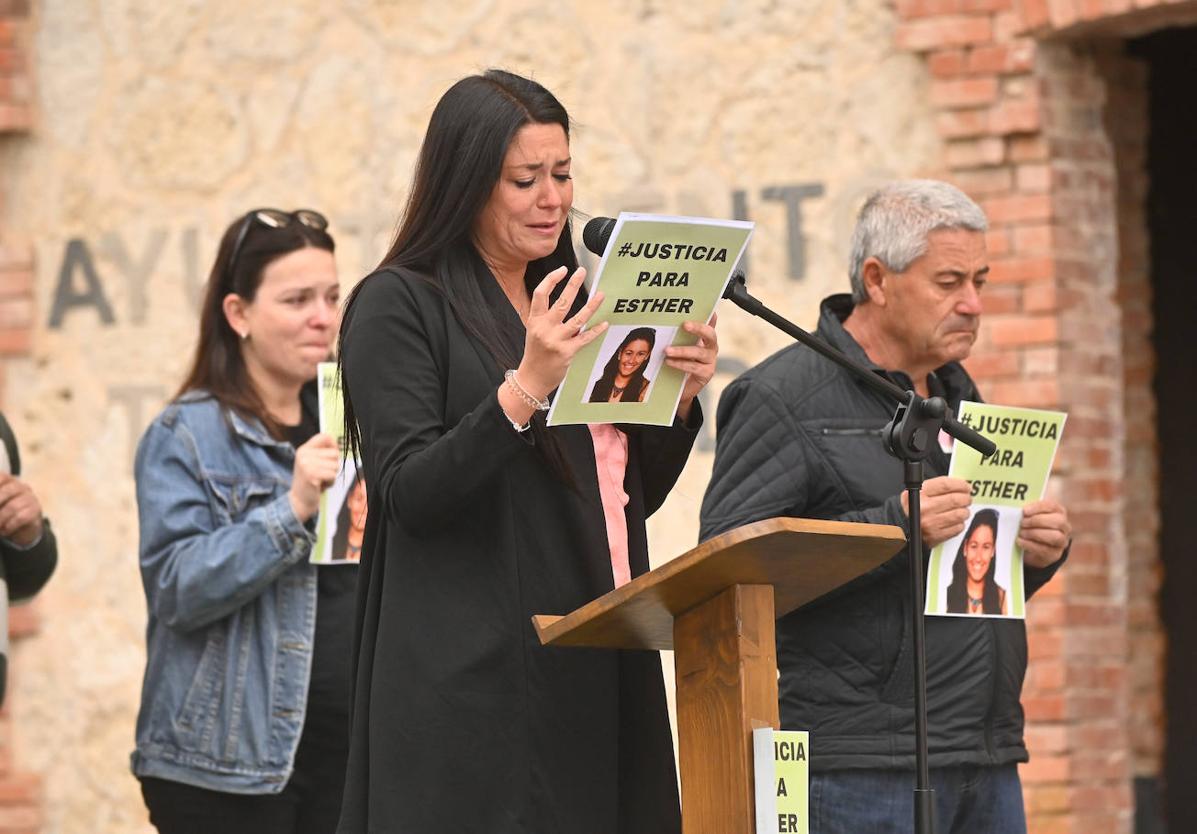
<point x="909" y="437"/>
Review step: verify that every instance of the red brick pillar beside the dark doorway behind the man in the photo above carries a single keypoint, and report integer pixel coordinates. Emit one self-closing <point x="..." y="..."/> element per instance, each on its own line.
<point x="1044" y="123"/>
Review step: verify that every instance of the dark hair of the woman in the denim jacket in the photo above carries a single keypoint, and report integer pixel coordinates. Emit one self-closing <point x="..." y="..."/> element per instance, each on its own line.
<point x="218" y="367"/>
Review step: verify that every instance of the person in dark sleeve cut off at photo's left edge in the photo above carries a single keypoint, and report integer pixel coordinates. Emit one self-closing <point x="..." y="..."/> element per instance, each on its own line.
<point x="28" y="549"/>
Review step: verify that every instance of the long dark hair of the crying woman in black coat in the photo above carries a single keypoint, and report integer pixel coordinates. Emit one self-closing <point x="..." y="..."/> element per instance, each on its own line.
<point x="459" y="166"/>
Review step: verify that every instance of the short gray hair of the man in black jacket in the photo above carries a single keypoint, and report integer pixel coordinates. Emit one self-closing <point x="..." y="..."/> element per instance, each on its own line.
<point x="896" y="220"/>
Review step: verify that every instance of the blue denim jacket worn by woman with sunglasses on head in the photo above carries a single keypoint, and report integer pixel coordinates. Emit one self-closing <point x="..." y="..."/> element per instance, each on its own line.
<point x="232" y="602"/>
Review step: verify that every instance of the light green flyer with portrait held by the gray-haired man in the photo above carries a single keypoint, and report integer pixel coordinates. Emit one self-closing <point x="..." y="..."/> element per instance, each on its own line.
<point x="980" y="573"/>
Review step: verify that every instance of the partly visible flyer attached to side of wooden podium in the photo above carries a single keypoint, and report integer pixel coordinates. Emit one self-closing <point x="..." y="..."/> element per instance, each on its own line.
<point x="781" y="777"/>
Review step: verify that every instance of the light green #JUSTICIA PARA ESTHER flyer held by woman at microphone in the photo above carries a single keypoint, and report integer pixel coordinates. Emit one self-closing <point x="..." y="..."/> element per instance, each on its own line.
<point x="658" y="273"/>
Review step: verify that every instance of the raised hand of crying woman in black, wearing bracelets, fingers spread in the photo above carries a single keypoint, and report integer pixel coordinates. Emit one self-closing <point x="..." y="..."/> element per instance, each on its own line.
<point x="552" y="339"/>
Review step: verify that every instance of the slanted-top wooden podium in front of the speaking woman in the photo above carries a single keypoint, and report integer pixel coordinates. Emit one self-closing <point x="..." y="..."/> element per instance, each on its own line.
<point x="715" y="607"/>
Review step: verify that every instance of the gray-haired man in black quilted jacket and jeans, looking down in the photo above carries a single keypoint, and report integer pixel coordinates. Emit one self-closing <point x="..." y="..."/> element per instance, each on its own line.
<point x="799" y="437"/>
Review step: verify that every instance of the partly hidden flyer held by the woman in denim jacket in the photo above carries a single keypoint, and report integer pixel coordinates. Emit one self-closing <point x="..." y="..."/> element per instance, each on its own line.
<point x="342" y="521"/>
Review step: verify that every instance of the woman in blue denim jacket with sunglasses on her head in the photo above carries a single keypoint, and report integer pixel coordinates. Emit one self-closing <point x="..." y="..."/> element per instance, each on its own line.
<point x="245" y="704"/>
